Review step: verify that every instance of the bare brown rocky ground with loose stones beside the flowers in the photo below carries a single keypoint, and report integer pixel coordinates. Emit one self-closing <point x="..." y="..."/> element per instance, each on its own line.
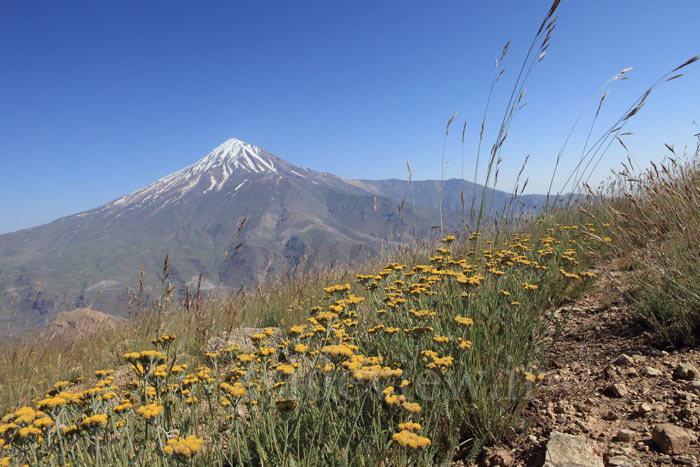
<point x="612" y="395"/>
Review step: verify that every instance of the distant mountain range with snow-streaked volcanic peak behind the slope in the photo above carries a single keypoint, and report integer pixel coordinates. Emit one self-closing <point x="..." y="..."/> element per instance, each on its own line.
<point x="290" y="216"/>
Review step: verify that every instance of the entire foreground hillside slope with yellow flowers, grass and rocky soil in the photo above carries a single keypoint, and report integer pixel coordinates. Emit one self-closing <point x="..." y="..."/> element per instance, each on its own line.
<point x="541" y="347"/>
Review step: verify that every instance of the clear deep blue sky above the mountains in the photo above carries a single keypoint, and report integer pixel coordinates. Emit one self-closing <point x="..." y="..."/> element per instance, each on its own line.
<point x="98" y="99"/>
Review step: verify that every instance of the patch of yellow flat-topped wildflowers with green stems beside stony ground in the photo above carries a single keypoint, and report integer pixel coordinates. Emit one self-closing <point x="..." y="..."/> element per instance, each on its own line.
<point x="365" y="348"/>
